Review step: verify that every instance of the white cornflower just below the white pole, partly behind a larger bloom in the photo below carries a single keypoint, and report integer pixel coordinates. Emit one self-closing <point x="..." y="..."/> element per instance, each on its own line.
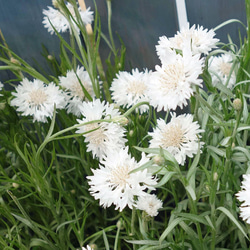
<point x="198" y="40"/>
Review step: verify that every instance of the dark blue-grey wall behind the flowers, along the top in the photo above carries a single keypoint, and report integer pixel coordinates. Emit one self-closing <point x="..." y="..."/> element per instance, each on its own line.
<point x="139" y="23"/>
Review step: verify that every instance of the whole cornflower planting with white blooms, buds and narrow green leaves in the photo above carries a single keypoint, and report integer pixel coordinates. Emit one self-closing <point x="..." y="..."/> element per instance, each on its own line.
<point x="103" y="158"/>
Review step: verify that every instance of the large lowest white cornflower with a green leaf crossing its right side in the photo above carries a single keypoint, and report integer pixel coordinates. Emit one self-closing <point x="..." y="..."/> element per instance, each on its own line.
<point x="113" y="183"/>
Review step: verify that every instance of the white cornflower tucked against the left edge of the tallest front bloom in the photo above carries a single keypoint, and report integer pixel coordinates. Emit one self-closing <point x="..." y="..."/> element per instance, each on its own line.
<point x="130" y="89"/>
